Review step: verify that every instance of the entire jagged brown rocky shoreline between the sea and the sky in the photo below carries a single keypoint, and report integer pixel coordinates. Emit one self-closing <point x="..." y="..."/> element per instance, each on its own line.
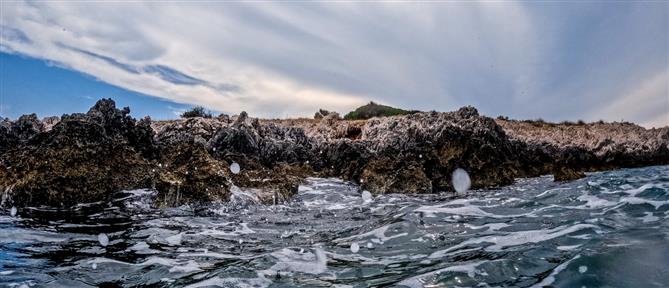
<point x="89" y="157"/>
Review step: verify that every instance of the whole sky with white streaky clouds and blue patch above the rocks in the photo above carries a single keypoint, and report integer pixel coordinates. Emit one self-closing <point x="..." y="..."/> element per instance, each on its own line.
<point x="557" y="60"/>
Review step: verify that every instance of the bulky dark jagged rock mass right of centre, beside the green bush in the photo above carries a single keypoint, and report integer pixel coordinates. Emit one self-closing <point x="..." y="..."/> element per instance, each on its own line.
<point x="427" y="147"/>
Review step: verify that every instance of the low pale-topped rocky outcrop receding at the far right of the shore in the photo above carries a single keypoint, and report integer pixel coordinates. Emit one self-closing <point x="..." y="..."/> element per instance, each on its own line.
<point x="557" y="148"/>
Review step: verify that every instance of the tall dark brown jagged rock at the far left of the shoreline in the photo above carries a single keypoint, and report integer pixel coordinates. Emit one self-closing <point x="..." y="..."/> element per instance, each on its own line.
<point x="84" y="158"/>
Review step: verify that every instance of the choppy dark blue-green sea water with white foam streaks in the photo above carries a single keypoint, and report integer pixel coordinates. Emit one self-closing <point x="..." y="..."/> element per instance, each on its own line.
<point x="610" y="229"/>
